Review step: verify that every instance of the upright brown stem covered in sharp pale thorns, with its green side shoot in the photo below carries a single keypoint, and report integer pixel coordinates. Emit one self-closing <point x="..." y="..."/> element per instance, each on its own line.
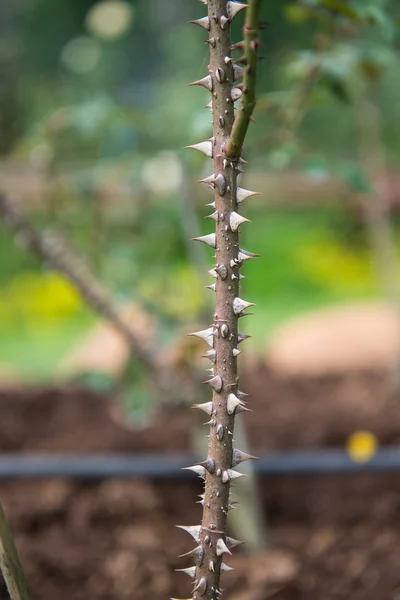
<point x="218" y="469"/>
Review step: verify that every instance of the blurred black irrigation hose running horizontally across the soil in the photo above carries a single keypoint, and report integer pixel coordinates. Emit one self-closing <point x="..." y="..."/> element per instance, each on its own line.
<point x="168" y="466"/>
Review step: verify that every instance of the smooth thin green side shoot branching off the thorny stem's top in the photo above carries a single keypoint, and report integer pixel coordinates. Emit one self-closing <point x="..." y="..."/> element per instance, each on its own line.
<point x="250" y="59"/>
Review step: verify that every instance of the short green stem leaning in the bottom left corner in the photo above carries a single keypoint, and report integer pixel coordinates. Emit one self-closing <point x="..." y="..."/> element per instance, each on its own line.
<point x="10" y="564"/>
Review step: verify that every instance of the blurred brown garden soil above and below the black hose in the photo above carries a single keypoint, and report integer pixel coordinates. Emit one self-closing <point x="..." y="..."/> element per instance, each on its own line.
<point x="330" y="537"/>
